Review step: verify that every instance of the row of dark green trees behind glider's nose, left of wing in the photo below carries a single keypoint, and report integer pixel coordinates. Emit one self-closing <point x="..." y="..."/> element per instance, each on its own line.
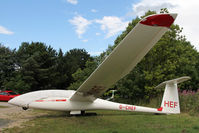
<point x="35" y="66"/>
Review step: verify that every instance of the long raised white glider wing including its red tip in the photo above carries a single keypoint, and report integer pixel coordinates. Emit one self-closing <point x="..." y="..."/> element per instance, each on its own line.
<point x="125" y="56"/>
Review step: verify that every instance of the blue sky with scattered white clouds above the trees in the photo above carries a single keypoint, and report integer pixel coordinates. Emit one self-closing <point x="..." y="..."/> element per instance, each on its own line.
<point x="88" y="24"/>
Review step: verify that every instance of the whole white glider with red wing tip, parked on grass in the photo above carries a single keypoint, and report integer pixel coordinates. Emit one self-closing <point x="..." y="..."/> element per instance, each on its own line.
<point x="119" y="63"/>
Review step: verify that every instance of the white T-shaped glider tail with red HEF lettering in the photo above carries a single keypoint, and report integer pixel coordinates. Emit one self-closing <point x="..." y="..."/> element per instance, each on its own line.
<point x="170" y="102"/>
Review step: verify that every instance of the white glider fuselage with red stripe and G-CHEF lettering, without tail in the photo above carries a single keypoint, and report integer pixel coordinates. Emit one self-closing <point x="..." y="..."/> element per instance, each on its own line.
<point x="60" y="100"/>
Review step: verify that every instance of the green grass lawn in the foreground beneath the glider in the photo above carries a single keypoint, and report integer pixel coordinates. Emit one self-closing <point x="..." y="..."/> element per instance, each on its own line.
<point x="110" y="122"/>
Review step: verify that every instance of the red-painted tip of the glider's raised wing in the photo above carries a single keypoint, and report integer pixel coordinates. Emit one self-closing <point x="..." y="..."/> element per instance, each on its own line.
<point x="163" y="20"/>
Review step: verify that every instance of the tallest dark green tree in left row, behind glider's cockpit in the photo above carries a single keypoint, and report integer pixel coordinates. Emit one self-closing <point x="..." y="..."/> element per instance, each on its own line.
<point x="37" y="65"/>
